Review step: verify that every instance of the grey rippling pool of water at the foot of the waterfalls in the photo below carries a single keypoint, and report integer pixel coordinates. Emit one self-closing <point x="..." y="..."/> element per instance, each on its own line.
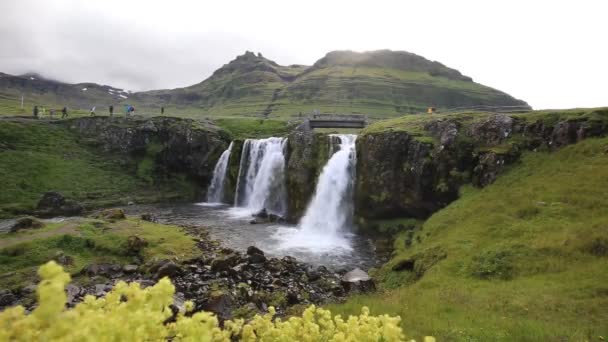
<point x="231" y="226"/>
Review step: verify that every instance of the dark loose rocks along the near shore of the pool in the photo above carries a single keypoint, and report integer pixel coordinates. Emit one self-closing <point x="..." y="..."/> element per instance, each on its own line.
<point x="230" y="283"/>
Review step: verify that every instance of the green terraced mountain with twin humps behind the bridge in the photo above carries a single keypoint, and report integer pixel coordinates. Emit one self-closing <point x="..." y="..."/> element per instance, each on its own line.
<point x="380" y="83"/>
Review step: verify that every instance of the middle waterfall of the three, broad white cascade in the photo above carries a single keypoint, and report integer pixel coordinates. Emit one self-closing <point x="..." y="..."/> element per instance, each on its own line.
<point x="261" y="180"/>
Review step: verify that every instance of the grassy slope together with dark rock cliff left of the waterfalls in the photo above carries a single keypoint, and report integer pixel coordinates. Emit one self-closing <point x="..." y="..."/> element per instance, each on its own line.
<point x="101" y="161"/>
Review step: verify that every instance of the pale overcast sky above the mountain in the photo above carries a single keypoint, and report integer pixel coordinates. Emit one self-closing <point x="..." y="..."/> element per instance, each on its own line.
<point x="552" y="54"/>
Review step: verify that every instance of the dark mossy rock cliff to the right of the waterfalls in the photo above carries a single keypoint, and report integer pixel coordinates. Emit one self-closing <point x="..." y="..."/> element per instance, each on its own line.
<point x="415" y="169"/>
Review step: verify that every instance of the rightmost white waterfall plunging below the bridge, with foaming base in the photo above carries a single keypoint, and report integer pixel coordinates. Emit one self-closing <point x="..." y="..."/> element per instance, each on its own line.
<point x="324" y="227"/>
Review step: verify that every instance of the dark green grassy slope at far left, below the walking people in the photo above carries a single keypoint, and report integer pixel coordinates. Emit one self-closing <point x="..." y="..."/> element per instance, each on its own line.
<point x="36" y="157"/>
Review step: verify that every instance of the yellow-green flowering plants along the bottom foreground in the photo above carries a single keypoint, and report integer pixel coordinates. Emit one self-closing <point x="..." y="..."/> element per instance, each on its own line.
<point x="149" y="319"/>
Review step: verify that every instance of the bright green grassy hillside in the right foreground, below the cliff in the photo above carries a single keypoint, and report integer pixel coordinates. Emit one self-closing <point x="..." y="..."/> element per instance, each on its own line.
<point x="526" y="257"/>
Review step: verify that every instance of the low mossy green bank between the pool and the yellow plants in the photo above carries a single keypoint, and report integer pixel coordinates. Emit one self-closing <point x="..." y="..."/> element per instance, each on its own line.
<point x="86" y="241"/>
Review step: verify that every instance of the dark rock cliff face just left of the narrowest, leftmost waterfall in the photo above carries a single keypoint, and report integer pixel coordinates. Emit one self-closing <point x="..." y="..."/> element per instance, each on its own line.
<point x="174" y="146"/>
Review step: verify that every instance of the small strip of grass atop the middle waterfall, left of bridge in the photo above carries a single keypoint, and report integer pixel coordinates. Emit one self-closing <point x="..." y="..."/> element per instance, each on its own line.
<point x="242" y="128"/>
